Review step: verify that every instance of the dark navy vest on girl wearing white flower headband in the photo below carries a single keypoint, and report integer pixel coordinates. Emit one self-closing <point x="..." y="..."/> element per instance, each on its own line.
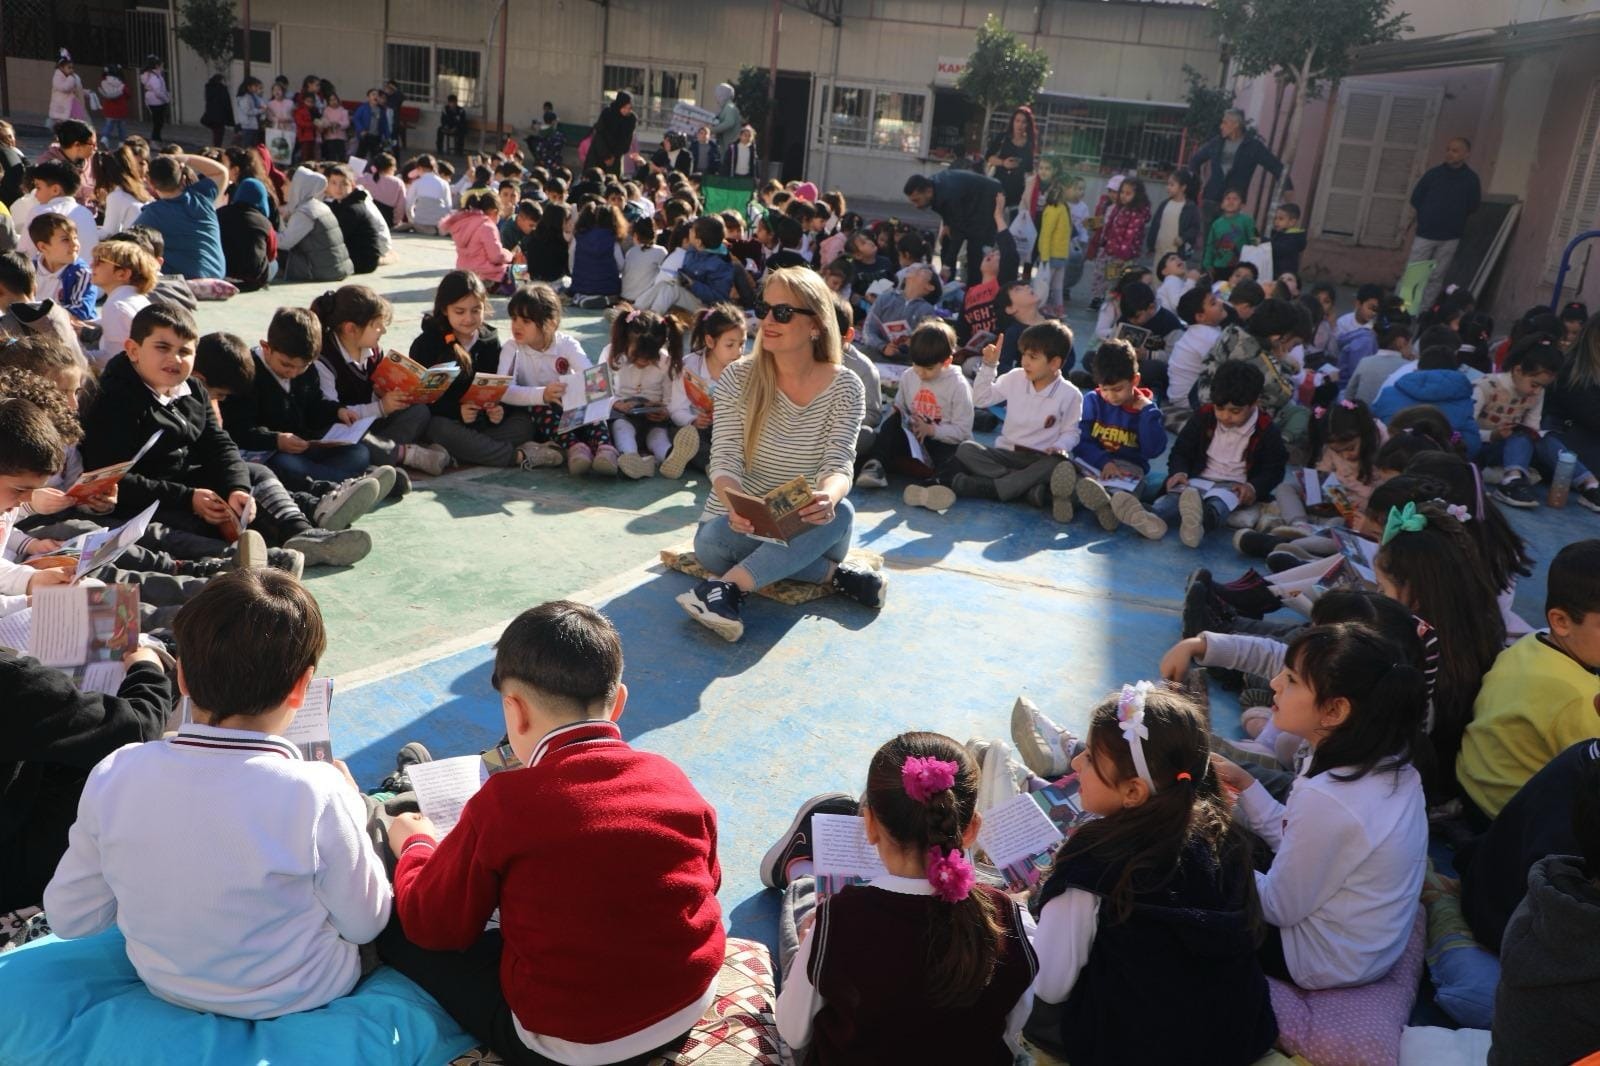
<point x="1175" y="984"/>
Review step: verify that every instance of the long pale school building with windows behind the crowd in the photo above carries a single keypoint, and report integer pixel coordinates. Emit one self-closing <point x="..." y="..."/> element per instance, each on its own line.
<point x="865" y="95"/>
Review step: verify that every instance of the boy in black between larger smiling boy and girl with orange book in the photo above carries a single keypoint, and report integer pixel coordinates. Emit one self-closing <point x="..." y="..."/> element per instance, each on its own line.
<point x="286" y="409"/>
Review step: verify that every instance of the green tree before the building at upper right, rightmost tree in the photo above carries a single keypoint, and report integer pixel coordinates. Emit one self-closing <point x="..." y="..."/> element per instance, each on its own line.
<point x="1303" y="46"/>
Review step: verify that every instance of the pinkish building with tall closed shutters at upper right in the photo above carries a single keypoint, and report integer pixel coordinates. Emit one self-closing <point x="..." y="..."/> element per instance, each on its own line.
<point x="1521" y="79"/>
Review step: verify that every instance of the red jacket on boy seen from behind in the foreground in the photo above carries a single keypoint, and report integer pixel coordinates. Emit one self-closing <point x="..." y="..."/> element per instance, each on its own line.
<point x="598" y="857"/>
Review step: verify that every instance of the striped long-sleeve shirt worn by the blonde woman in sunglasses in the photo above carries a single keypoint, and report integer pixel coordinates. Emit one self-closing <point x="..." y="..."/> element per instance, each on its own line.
<point x="810" y="441"/>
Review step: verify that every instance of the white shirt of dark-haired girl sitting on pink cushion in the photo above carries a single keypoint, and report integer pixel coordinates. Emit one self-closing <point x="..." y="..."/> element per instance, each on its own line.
<point x="1348" y="870"/>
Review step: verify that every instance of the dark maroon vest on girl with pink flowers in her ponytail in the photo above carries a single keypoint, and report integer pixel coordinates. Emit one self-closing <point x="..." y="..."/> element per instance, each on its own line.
<point x="870" y="964"/>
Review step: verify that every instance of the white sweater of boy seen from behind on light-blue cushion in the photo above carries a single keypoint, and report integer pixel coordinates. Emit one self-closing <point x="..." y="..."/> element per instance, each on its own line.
<point x="241" y="875"/>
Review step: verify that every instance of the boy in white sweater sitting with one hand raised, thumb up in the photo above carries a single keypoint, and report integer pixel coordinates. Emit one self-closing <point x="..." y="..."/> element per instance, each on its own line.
<point x="1041" y="428"/>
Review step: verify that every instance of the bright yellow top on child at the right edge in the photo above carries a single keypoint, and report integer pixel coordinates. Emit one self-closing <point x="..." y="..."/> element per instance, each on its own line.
<point x="1535" y="702"/>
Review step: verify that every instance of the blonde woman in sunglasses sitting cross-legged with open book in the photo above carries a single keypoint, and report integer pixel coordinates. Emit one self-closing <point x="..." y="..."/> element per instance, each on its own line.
<point x="788" y="411"/>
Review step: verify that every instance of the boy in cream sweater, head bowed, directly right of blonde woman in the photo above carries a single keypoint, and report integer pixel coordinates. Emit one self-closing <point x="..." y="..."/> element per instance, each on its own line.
<point x="935" y="407"/>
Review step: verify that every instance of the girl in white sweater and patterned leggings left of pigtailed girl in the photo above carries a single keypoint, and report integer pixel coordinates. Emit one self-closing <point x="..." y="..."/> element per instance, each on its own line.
<point x="545" y="364"/>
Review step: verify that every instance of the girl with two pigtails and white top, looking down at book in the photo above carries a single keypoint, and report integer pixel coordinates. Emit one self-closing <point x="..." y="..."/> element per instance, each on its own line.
<point x="647" y="358"/>
